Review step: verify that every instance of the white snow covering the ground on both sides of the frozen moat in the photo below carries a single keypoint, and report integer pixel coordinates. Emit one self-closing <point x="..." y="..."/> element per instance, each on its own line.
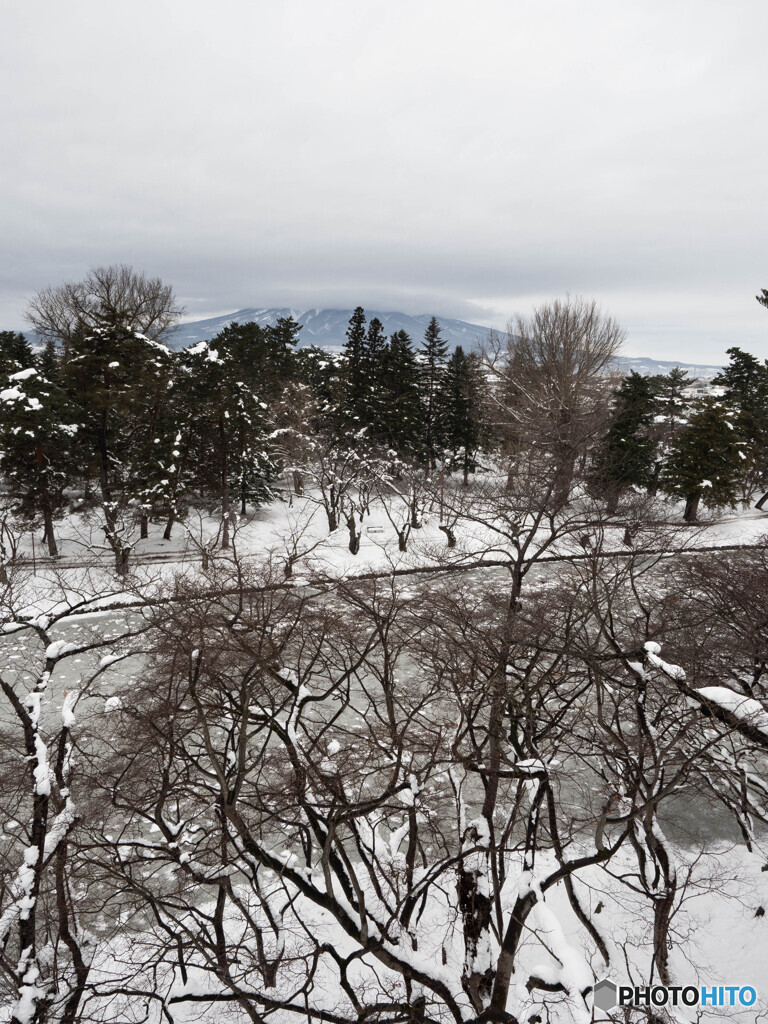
<point x="719" y="930"/>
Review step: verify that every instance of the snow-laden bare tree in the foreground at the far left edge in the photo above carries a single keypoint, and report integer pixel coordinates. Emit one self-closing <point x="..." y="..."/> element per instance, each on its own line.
<point x="48" y="947"/>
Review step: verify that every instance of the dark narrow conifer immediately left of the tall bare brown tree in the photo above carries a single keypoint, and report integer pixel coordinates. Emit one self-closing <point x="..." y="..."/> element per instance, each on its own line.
<point x="460" y="401"/>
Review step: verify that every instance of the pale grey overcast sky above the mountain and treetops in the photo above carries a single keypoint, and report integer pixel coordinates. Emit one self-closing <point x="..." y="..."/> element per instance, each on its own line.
<point x="464" y="159"/>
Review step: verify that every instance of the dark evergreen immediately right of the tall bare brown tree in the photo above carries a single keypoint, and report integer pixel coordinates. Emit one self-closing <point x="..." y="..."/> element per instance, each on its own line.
<point x="627" y="456"/>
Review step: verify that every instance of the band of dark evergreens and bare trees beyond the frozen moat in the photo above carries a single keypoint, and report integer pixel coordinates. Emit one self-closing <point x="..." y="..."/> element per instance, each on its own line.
<point x="107" y="416"/>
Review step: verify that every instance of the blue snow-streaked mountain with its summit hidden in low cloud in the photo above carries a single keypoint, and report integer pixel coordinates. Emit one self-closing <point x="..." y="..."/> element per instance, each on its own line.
<point x="327" y="328"/>
